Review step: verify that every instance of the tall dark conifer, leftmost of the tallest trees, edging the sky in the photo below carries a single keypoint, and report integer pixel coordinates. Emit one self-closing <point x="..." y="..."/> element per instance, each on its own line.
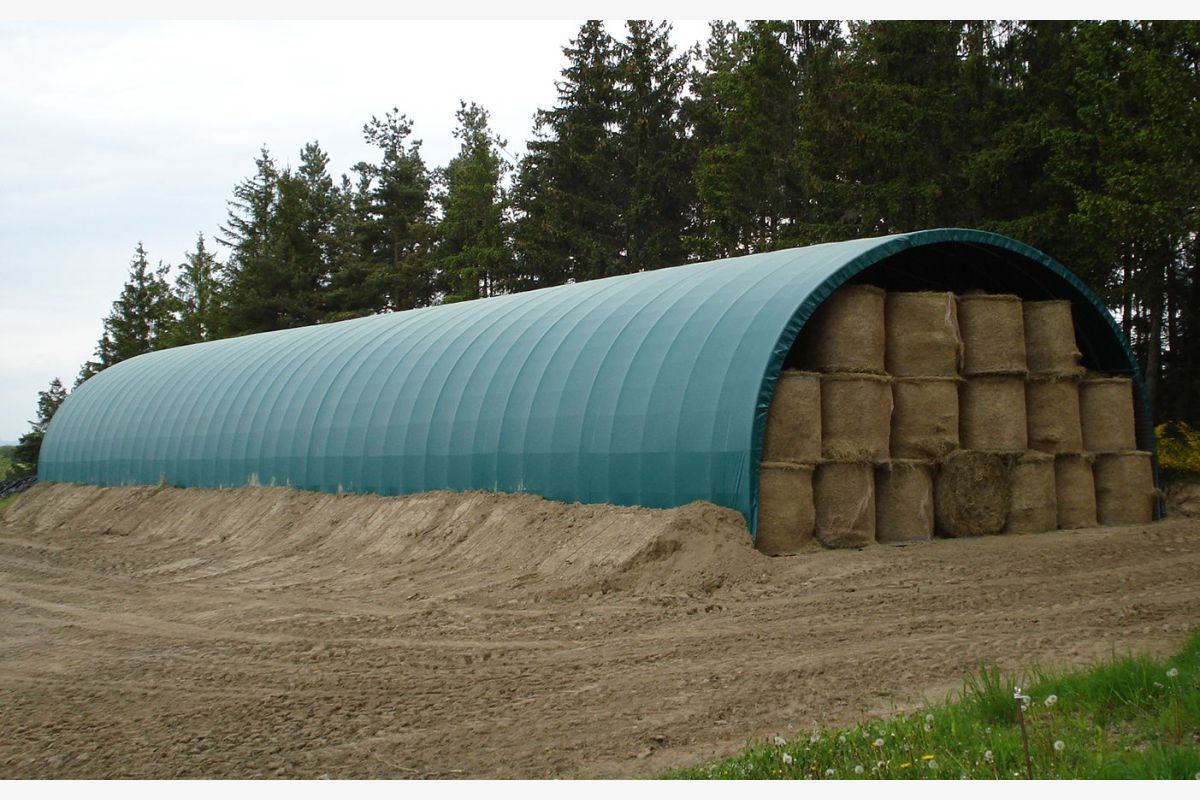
<point x="568" y="189"/>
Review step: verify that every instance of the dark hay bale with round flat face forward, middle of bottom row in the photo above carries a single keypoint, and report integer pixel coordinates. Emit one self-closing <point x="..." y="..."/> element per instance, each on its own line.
<point x="973" y="494"/>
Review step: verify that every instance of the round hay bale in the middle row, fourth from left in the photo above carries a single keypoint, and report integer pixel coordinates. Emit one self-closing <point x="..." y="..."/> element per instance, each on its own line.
<point x="992" y="413"/>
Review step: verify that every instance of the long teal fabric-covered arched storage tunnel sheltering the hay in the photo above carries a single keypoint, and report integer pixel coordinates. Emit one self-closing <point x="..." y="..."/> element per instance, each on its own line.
<point x="650" y="389"/>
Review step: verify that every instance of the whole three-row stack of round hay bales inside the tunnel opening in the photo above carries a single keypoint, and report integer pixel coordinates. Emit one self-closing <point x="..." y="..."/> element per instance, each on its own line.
<point x="922" y="412"/>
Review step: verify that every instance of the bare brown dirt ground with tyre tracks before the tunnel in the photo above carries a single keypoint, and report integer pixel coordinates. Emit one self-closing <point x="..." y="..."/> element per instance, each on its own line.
<point x="153" y="633"/>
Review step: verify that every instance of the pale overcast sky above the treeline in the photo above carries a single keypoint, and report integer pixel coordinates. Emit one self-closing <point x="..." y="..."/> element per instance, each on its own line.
<point x="113" y="134"/>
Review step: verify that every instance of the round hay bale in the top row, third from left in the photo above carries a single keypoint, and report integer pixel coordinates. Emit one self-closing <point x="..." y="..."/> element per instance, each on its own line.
<point x="993" y="328"/>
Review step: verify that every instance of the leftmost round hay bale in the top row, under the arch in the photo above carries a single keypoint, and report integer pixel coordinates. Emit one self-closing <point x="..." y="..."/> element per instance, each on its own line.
<point x="847" y="333"/>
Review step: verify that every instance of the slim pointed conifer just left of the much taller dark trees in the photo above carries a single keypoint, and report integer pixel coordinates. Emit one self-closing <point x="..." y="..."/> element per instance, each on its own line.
<point x="472" y="256"/>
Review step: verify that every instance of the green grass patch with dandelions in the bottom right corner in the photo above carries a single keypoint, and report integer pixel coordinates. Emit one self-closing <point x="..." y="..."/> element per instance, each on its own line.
<point x="1129" y="718"/>
